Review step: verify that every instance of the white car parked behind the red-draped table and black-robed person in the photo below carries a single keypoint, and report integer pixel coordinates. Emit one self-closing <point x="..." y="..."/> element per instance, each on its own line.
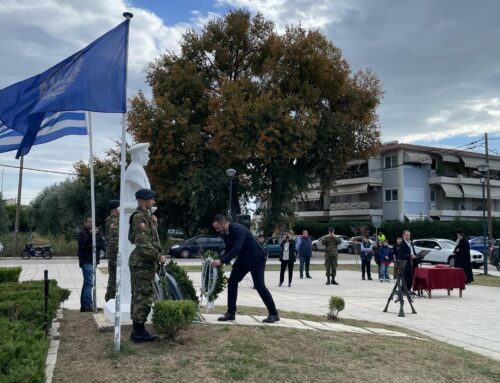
<point x="441" y="251"/>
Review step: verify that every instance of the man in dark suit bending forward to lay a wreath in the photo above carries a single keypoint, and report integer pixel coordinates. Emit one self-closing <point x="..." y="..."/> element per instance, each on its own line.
<point x="251" y="258"/>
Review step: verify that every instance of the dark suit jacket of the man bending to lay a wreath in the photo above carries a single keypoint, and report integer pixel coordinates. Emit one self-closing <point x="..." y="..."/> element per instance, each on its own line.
<point x="242" y="244"/>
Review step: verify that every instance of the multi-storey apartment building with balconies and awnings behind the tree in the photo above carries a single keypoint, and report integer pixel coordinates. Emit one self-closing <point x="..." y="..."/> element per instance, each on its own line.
<point x="407" y="182"/>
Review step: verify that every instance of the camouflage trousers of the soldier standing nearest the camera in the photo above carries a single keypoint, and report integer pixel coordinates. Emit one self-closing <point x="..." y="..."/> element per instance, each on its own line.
<point x="141" y="281"/>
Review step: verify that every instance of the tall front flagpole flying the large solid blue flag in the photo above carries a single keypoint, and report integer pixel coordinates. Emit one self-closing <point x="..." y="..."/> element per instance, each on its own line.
<point x="122" y="234"/>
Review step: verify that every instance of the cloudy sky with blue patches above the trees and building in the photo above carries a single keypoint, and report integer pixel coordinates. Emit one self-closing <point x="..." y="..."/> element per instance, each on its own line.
<point x="438" y="60"/>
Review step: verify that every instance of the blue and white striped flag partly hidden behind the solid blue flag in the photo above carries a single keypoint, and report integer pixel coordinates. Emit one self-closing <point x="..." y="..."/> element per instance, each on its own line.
<point x="54" y="126"/>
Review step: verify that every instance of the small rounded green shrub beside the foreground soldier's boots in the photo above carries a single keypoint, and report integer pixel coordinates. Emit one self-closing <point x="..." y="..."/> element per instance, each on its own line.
<point x="170" y="317"/>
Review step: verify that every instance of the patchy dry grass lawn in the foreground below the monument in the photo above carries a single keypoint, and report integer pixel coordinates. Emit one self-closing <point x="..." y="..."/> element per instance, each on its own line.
<point x="229" y="353"/>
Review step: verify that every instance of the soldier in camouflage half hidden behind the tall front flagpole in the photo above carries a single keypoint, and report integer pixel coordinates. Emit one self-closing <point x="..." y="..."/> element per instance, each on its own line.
<point x="112" y="224"/>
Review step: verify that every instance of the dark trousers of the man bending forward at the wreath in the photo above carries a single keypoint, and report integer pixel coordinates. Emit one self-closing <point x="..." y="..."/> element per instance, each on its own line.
<point x="257" y="272"/>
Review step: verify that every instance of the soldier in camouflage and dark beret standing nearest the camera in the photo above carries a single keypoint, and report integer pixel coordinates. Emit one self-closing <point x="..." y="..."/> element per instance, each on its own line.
<point x="143" y="263"/>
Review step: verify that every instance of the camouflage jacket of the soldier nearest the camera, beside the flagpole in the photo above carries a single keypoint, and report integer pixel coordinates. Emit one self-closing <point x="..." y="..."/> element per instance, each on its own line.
<point x="143" y="234"/>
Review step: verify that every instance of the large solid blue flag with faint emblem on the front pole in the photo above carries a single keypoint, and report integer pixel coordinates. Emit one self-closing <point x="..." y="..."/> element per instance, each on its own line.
<point x="92" y="79"/>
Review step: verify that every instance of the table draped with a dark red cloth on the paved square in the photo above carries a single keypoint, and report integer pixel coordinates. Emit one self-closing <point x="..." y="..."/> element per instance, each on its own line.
<point x="432" y="278"/>
